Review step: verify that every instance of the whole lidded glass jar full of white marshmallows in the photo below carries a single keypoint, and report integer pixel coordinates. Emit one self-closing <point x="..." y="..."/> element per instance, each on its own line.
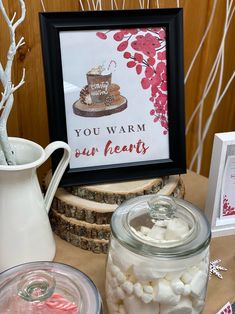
<point x="158" y="257"/>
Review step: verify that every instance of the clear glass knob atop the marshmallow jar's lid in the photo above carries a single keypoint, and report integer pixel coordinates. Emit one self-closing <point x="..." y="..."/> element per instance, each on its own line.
<point x="161" y="207"/>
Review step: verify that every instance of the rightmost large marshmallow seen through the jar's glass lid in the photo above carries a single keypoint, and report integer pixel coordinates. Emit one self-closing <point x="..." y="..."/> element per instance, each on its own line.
<point x="176" y="229"/>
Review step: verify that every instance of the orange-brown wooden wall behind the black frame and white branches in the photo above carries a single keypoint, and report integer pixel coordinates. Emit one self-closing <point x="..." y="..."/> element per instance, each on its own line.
<point x="29" y="116"/>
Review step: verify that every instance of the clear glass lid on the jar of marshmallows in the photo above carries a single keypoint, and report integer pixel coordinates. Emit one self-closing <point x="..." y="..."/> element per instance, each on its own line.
<point x="160" y="226"/>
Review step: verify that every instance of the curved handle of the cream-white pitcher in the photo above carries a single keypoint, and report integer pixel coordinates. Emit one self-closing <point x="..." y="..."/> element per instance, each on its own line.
<point x="55" y="180"/>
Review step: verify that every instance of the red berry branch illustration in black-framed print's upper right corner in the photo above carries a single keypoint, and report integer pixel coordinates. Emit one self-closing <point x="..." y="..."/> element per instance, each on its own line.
<point x="145" y="50"/>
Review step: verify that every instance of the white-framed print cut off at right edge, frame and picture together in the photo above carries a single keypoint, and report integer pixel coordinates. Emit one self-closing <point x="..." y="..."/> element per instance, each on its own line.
<point x="220" y="203"/>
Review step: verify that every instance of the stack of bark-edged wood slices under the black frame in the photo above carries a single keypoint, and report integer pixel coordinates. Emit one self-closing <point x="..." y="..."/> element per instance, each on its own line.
<point x="81" y="214"/>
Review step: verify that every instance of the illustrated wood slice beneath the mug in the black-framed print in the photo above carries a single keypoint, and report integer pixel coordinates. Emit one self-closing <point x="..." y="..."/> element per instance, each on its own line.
<point x="99" y="110"/>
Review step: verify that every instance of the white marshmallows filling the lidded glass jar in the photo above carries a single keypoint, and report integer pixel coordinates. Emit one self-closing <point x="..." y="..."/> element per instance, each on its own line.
<point x="136" y="286"/>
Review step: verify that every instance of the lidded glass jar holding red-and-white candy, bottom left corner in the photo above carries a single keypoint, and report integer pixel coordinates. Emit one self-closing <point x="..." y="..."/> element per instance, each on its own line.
<point x="46" y="288"/>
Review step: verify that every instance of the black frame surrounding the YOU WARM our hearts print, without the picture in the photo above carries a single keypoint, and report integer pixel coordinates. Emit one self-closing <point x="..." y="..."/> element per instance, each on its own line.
<point x="52" y="25"/>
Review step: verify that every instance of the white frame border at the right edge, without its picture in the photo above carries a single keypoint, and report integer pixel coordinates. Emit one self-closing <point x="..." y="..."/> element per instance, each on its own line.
<point x="219" y="227"/>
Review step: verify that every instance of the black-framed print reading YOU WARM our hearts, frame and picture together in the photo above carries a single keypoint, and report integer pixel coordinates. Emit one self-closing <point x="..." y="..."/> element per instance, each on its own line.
<point x="114" y="83"/>
